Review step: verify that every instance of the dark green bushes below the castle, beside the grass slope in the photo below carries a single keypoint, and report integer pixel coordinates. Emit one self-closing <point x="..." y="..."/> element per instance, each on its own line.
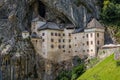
<point x="73" y="74"/>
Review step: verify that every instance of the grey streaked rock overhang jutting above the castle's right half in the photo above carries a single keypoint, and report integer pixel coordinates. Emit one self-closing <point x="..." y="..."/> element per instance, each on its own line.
<point x="78" y="12"/>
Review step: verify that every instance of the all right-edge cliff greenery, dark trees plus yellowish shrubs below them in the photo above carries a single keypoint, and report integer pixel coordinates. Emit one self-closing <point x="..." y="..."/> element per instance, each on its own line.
<point x="110" y="16"/>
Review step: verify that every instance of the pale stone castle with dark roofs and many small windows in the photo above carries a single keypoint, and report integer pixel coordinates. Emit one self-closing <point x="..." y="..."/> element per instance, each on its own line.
<point x="56" y="43"/>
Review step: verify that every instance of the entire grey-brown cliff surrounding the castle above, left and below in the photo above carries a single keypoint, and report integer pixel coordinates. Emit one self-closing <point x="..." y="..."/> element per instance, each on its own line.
<point x="17" y="57"/>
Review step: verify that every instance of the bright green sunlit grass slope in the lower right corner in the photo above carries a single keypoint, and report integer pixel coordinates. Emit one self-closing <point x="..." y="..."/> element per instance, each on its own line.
<point x="108" y="69"/>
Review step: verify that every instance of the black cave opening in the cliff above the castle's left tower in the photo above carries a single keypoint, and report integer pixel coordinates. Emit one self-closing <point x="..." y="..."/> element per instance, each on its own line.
<point x="41" y="9"/>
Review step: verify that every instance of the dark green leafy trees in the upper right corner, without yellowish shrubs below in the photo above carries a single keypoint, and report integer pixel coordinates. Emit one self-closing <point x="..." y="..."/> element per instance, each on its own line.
<point x="111" y="12"/>
